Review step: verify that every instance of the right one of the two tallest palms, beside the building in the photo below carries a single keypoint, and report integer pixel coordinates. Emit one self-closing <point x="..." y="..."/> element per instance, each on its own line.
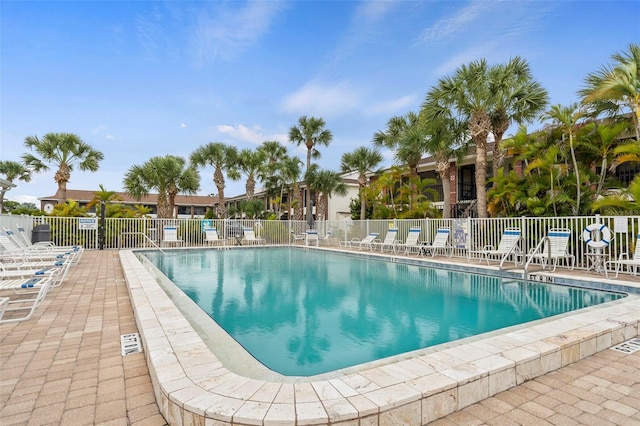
<point x="518" y="97"/>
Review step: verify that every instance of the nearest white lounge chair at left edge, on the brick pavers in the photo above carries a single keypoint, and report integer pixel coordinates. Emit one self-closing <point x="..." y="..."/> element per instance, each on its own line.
<point x="38" y="287"/>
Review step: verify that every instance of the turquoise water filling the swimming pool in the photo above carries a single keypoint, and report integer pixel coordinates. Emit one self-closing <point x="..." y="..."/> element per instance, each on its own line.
<point x="303" y="312"/>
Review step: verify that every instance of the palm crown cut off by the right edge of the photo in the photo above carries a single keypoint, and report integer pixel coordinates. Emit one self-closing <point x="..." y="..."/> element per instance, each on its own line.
<point x="613" y="88"/>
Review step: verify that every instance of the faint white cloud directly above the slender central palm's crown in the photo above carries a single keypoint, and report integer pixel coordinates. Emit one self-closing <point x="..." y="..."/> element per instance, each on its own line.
<point x="327" y="100"/>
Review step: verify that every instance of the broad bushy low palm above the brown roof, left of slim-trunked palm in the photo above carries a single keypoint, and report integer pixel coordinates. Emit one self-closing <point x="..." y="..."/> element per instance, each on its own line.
<point x="169" y="175"/>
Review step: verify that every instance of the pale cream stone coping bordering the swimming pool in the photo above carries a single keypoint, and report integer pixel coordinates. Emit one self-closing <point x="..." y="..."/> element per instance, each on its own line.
<point x="192" y="386"/>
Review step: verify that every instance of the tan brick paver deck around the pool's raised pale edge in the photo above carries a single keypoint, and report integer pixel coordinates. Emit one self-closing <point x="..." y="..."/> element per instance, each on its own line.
<point x="64" y="367"/>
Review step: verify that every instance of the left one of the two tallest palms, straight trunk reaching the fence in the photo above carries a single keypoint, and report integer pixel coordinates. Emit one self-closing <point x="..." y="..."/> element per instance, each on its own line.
<point x="468" y="94"/>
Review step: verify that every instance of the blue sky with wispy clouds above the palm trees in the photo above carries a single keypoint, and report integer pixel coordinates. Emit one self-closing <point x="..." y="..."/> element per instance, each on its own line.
<point x="146" y="78"/>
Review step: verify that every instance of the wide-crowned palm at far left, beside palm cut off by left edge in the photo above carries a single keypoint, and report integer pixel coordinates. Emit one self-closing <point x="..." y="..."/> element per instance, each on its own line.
<point x="62" y="150"/>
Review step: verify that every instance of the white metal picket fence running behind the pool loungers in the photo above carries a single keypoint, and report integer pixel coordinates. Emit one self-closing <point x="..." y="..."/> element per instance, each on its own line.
<point x="467" y="234"/>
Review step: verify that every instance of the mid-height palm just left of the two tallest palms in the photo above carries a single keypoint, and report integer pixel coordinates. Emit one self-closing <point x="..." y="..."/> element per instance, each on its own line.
<point x="407" y="136"/>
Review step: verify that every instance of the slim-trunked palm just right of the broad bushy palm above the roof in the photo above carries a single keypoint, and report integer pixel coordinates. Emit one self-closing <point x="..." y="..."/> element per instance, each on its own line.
<point x="223" y="158"/>
